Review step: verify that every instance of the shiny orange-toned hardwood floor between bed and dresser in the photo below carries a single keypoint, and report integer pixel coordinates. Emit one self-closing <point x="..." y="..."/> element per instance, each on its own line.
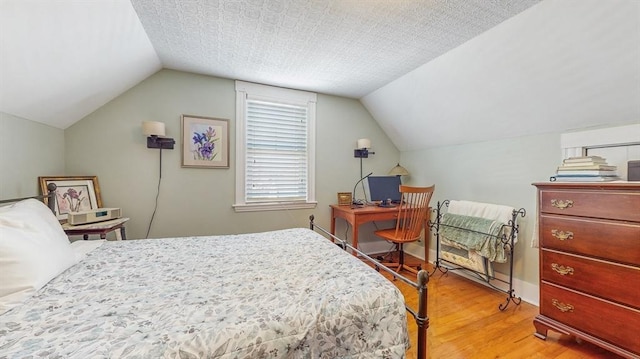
<point x="465" y="322"/>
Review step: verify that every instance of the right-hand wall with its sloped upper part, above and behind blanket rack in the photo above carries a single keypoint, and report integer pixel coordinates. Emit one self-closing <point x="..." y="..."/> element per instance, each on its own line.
<point x="483" y="121"/>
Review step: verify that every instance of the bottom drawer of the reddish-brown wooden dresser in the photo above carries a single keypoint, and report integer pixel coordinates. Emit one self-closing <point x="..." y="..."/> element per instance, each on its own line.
<point x="609" y="321"/>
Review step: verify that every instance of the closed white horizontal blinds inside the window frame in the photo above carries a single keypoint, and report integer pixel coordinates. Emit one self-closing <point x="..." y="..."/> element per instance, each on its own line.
<point x="276" y="152"/>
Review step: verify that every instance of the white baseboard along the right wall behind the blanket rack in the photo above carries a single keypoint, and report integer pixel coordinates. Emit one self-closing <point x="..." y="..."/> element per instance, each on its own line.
<point x="527" y="291"/>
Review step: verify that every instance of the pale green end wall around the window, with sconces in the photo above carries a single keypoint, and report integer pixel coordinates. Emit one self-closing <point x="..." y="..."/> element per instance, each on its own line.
<point x="194" y="201"/>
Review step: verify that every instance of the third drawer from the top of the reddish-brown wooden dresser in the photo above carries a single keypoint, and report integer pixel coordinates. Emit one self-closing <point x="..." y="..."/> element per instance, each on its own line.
<point x="600" y="278"/>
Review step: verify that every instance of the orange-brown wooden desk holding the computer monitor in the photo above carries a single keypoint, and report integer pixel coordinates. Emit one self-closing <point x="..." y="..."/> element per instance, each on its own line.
<point x="358" y="215"/>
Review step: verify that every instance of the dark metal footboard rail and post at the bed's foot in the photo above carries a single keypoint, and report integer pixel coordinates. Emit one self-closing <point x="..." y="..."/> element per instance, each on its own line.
<point x="420" y="316"/>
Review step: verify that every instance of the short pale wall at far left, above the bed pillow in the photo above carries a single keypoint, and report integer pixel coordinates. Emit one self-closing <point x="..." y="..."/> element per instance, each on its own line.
<point x="27" y="150"/>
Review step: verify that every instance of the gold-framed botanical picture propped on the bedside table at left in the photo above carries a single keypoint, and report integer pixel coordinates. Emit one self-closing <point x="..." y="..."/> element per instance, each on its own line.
<point x="73" y="193"/>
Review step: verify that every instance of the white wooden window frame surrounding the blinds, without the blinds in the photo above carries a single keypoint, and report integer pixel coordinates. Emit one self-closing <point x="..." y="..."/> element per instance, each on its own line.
<point x="246" y="90"/>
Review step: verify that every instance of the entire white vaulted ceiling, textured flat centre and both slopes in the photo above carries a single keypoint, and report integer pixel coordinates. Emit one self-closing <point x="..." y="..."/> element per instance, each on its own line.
<point x="459" y="63"/>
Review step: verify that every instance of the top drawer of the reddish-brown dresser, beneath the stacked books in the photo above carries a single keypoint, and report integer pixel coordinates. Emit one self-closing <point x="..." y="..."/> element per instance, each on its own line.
<point x="592" y="203"/>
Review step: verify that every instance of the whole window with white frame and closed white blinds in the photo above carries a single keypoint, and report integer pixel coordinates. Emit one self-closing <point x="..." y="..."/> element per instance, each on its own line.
<point x="275" y="148"/>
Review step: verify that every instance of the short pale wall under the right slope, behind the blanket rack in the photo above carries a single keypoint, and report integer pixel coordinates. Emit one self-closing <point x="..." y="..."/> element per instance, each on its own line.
<point x="499" y="172"/>
